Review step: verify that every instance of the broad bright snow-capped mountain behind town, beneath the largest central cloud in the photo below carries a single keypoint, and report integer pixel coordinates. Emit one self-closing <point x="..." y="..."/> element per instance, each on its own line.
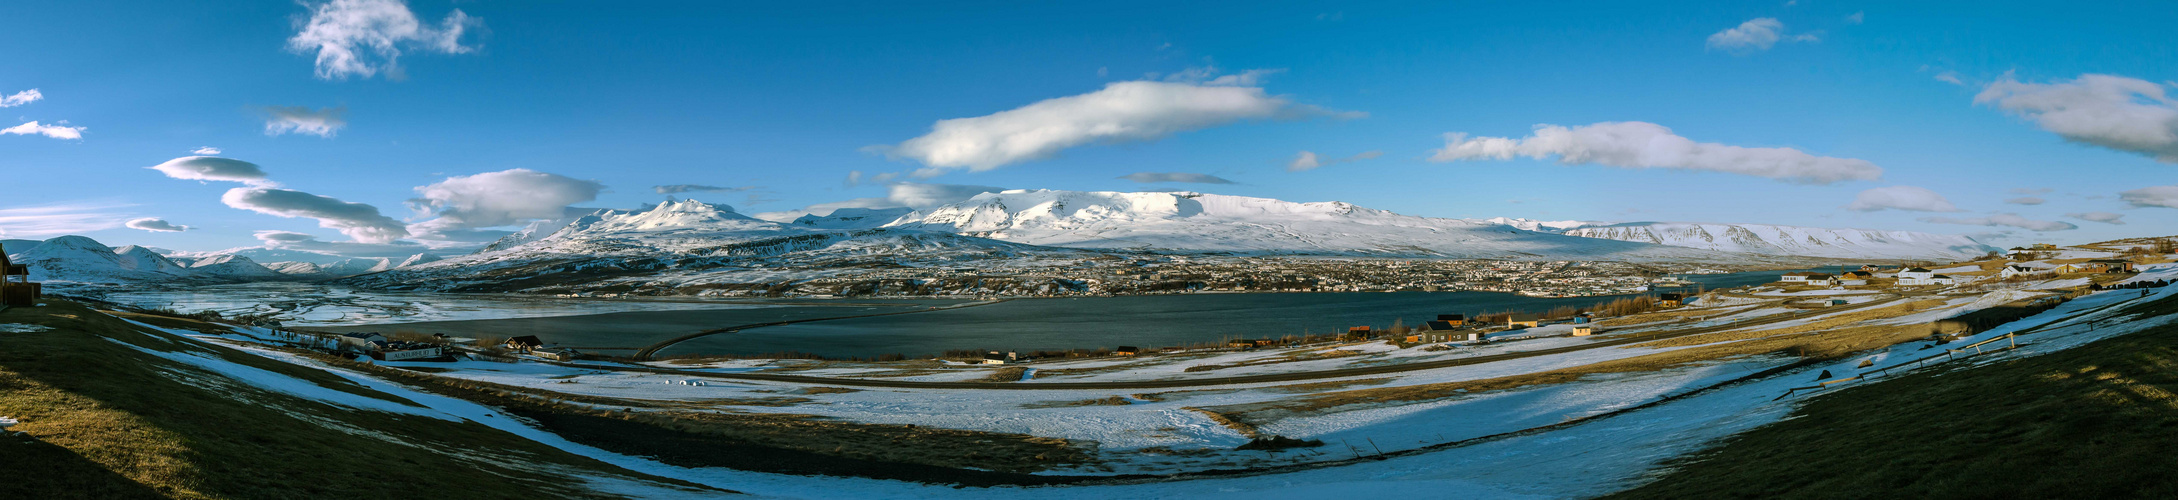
<point x="1208" y="223"/>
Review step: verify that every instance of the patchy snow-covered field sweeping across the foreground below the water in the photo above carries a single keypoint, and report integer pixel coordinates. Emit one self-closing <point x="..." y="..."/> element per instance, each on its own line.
<point x="1602" y="434"/>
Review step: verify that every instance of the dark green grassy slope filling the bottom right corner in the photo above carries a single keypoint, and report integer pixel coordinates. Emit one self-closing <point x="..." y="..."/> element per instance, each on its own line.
<point x="2090" y="423"/>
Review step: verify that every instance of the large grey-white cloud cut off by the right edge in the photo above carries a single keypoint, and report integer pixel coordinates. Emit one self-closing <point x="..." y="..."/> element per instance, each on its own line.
<point x="2112" y="112"/>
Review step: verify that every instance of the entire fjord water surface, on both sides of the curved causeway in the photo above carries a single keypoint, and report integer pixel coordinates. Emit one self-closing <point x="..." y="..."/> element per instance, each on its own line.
<point x="622" y="327"/>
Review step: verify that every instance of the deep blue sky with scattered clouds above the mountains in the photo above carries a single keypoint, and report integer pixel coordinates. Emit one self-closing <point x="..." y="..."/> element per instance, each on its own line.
<point x="781" y="103"/>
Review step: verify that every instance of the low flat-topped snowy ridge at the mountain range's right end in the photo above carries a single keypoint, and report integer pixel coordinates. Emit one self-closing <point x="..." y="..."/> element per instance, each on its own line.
<point x="1794" y="240"/>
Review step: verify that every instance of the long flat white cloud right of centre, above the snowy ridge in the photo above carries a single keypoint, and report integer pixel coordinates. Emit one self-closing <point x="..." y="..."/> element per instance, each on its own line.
<point x="1641" y="145"/>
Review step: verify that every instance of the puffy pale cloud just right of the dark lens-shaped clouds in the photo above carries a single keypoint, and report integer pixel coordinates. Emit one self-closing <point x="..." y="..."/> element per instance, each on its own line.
<point x="500" y="199"/>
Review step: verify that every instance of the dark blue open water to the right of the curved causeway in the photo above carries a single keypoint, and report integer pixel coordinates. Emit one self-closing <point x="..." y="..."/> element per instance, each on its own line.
<point x="1138" y="321"/>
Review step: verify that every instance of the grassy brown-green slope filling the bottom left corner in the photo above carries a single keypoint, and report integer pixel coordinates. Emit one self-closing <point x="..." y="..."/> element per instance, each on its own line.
<point x="127" y="412"/>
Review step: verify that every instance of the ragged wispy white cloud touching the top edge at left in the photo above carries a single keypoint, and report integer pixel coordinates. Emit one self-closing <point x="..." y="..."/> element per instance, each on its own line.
<point x="363" y="38"/>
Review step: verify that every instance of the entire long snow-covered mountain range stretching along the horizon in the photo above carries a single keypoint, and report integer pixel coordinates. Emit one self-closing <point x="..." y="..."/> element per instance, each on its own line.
<point x="694" y="245"/>
